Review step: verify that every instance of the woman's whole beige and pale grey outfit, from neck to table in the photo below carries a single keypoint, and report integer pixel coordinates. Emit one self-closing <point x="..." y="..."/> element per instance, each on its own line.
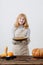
<point x="22" y="48"/>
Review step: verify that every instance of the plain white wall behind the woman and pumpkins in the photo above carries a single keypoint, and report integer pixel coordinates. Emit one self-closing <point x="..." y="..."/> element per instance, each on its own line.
<point x="9" y="9"/>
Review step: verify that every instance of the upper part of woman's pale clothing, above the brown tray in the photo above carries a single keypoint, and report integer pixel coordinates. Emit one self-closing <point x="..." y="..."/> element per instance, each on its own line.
<point x="21" y="32"/>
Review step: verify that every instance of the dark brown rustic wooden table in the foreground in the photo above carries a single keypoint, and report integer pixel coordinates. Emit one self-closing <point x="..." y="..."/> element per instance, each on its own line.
<point x="22" y="60"/>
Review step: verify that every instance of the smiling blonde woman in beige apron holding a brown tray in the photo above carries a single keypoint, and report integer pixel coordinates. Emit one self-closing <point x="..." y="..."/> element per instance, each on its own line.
<point x="21" y="30"/>
